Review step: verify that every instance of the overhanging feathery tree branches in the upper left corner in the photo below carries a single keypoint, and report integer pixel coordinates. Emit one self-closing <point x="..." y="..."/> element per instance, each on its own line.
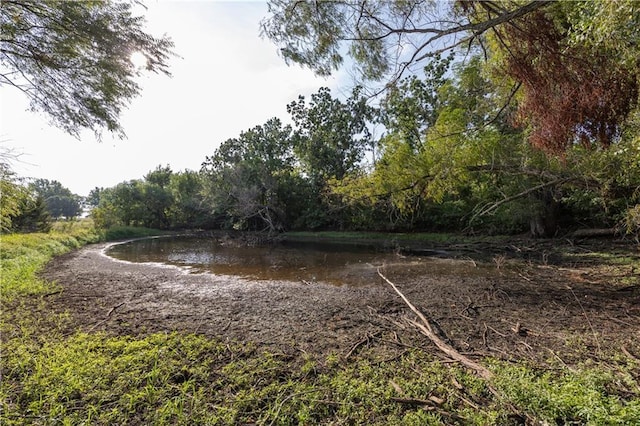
<point x="72" y="59"/>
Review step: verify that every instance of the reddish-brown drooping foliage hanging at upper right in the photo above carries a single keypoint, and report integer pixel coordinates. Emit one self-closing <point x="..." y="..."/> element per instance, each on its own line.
<point x="571" y="94"/>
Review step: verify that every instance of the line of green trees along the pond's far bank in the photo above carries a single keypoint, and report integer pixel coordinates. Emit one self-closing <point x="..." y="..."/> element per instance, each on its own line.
<point x="449" y="159"/>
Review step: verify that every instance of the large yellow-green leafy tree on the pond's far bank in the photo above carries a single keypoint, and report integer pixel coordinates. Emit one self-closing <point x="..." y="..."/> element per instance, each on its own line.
<point x="467" y="155"/>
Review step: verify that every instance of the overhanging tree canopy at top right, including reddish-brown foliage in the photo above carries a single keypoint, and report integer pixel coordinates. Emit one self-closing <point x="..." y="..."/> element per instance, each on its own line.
<point x="575" y="84"/>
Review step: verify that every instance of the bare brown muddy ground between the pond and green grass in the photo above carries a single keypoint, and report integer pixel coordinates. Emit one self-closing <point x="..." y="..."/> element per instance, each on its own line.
<point x="507" y="308"/>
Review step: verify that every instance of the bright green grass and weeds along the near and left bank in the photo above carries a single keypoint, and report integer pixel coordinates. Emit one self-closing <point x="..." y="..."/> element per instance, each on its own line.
<point x="49" y="377"/>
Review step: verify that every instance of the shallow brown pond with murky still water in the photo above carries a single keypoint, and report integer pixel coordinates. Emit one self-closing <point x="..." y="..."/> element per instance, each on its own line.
<point x="308" y="262"/>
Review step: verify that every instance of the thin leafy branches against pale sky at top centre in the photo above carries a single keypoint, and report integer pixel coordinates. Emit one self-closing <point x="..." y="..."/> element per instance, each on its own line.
<point x="383" y="38"/>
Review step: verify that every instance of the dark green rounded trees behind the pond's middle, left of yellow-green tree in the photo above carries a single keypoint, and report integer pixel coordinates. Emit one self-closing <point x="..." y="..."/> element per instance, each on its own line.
<point x="273" y="177"/>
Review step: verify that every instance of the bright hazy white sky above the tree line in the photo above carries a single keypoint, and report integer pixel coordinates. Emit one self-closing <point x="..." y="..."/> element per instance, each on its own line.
<point x="226" y="80"/>
